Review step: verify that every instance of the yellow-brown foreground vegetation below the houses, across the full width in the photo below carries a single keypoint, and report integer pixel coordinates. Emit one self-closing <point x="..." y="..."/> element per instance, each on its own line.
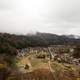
<point x="38" y="69"/>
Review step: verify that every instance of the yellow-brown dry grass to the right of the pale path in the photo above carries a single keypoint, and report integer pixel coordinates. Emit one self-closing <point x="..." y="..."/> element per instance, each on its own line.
<point x="64" y="72"/>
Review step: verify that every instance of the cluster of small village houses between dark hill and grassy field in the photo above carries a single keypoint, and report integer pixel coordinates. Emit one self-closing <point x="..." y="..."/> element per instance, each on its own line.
<point x="60" y="53"/>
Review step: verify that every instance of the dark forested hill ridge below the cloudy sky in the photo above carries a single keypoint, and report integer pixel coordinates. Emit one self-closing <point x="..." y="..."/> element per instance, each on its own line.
<point x="9" y="43"/>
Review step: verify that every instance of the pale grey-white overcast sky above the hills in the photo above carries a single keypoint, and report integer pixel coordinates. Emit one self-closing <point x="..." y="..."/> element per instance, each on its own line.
<point x="51" y="16"/>
